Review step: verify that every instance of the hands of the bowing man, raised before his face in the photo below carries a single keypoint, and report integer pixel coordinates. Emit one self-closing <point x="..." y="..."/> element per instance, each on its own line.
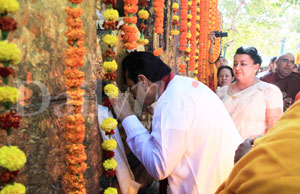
<point x="121" y="106"/>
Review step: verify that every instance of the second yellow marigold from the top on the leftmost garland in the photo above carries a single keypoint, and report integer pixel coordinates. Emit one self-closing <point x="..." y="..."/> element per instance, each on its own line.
<point x="10" y="52"/>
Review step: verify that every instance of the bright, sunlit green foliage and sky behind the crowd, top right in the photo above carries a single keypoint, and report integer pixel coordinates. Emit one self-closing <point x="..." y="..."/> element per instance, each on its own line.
<point x="262" y="24"/>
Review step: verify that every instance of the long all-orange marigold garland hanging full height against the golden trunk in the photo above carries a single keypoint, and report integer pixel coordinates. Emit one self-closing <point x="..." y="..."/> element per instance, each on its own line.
<point x="74" y="121"/>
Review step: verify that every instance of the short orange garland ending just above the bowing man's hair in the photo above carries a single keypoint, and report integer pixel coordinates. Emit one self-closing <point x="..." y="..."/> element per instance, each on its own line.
<point x="128" y="30"/>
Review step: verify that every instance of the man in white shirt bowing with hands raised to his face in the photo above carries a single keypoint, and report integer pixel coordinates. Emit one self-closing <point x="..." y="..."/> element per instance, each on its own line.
<point x="193" y="138"/>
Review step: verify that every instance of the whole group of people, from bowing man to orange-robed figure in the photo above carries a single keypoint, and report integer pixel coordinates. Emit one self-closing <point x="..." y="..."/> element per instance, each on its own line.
<point x="196" y="152"/>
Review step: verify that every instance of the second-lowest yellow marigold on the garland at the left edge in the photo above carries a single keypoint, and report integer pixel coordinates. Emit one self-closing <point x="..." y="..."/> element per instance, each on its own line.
<point x="12" y="158"/>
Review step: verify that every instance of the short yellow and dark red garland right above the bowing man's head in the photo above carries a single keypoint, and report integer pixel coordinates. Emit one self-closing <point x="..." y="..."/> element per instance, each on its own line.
<point x="143" y="15"/>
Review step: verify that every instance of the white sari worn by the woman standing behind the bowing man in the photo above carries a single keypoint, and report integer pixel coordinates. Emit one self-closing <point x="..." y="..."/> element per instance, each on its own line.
<point x="248" y="107"/>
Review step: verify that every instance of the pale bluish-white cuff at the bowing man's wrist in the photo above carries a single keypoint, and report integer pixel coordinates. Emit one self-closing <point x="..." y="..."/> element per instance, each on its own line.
<point x="133" y="126"/>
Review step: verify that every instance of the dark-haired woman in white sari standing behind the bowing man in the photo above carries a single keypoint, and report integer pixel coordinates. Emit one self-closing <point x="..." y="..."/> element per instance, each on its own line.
<point x="254" y="105"/>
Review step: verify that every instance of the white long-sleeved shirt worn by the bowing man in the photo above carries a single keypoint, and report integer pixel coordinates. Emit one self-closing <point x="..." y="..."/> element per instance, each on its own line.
<point x="193" y="138"/>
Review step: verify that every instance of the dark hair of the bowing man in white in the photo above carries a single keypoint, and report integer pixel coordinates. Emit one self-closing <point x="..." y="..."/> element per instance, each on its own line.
<point x="144" y="63"/>
